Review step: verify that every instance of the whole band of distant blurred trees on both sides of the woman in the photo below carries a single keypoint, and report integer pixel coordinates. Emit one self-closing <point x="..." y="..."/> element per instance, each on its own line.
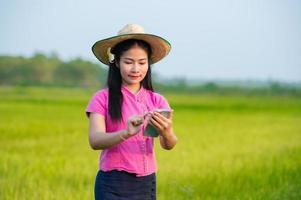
<point x="42" y="70"/>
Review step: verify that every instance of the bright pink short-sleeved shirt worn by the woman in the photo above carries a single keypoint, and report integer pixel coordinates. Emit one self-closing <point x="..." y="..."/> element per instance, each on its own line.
<point x="136" y="154"/>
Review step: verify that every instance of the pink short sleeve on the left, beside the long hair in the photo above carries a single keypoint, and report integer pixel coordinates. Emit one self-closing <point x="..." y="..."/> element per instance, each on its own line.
<point x="98" y="103"/>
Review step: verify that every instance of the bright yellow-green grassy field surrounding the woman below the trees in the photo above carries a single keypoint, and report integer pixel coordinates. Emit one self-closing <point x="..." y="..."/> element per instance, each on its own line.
<point x="230" y="147"/>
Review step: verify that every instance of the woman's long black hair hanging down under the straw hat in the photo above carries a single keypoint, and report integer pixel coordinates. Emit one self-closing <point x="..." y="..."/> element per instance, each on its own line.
<point x="114" y="80"/>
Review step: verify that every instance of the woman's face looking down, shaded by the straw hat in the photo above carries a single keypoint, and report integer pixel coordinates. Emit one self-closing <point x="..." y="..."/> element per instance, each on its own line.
<point x="133" y="66"/>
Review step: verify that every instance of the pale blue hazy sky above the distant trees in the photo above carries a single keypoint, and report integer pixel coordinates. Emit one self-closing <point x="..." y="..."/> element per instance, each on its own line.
<point x="211" y="40"/>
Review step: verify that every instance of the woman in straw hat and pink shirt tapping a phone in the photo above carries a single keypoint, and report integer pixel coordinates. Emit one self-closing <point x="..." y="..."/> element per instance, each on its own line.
<point x="119" y="114"/>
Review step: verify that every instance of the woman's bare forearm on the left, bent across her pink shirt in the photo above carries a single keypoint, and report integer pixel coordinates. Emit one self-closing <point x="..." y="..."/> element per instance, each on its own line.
<point x="102" y="140"/>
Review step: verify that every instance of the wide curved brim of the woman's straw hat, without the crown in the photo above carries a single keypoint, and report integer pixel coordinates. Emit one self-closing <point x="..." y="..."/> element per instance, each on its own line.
<point x="160" y="46"/>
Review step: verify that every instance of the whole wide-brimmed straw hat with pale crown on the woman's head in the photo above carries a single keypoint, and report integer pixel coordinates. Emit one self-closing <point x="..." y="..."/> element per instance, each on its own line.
<point x="160" y="46"/>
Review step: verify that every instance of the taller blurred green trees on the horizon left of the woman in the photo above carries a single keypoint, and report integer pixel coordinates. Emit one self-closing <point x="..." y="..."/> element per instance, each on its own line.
<point x="42" y="70"/>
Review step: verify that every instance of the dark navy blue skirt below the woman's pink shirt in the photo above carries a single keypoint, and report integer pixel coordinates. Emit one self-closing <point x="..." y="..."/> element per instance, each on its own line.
<point x="122" y="185"/>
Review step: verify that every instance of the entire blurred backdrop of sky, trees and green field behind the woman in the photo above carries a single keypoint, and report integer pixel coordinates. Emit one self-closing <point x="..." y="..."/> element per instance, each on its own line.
<point x="233" y="77"/>
